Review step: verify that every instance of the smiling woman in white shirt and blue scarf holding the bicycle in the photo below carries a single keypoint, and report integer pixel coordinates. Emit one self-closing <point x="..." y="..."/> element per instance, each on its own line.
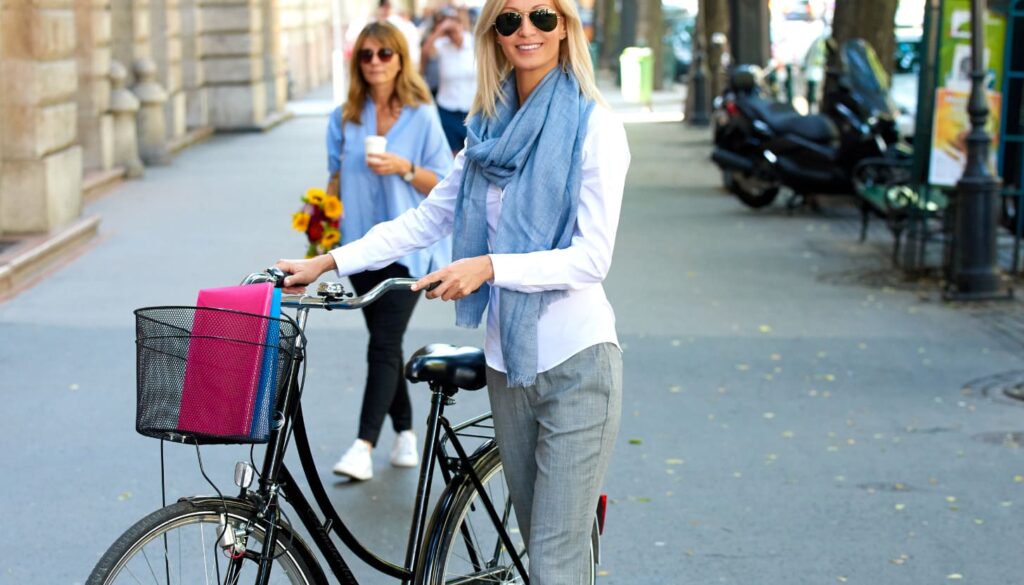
<point x="533" y="205"/>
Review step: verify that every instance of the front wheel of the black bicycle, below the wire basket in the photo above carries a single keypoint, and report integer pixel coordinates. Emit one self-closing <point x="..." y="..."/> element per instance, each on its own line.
<point x="179" y="545"/>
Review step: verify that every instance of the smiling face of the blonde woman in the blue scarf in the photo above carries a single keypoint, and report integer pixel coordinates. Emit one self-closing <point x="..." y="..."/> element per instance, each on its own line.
<point x="529" y="49"/>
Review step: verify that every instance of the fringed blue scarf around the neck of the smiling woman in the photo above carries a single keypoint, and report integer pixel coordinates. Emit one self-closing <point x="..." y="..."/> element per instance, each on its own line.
<point x="534" y="153"/>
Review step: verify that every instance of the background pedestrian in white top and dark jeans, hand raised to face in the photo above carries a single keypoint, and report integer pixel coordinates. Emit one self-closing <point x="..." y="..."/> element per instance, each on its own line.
<point x="452" y="47"/>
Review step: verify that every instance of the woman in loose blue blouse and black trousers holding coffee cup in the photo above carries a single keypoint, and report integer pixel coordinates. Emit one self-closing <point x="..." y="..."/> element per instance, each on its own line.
<point x="387" y="98"/>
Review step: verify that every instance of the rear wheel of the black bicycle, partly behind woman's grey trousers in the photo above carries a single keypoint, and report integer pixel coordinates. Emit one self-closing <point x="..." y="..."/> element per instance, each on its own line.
<point x="467" y="550"/>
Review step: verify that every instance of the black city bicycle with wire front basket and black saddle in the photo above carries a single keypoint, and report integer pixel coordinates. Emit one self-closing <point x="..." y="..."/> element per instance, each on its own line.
<point x="468" y="538"/>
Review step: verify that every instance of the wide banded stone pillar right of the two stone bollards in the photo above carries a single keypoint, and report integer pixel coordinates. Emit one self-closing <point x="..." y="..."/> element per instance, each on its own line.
<point x="233" y="63"/>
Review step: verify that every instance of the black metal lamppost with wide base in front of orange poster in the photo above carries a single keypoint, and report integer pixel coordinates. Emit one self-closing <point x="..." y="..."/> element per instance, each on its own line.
<point x="975" y="263"/>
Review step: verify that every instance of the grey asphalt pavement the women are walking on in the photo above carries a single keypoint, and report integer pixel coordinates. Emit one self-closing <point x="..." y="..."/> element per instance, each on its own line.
<point x="794" y="411"/>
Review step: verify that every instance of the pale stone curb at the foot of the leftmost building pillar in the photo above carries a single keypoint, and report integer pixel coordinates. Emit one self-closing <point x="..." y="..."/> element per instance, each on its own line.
<point x="30" y="261"/>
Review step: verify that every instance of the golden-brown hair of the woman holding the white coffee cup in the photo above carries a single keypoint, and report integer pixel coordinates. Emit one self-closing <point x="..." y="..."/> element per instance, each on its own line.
<point x="410" y="90"/>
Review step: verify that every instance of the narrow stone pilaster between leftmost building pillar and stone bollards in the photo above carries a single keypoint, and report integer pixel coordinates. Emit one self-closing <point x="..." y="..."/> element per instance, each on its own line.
<point x="96" y="126"/>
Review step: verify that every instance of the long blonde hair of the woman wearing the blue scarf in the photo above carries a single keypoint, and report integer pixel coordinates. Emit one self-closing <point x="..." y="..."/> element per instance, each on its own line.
<point x="493" y="67"/>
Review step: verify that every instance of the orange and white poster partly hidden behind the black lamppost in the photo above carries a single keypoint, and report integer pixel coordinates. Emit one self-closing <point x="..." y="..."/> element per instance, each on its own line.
<point x="950" y="136"/>
